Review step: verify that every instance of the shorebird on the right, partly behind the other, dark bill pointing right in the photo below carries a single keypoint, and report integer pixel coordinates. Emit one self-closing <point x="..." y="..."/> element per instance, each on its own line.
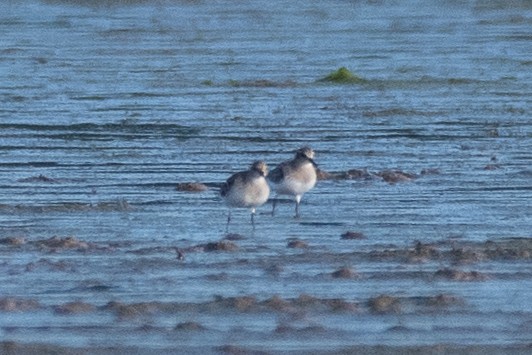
<point x="295" y="177"/>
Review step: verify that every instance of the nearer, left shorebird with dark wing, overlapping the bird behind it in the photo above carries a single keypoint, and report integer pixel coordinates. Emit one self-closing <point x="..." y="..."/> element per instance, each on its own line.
<point x="247" y="189"/>
